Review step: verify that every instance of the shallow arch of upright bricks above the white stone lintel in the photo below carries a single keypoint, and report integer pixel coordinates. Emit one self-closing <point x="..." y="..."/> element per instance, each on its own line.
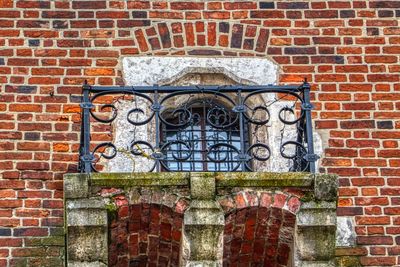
<point x="197" y="34"/>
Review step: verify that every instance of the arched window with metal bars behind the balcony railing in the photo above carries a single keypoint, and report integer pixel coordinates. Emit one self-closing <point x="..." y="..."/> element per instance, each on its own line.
<point x="201" y="135"/>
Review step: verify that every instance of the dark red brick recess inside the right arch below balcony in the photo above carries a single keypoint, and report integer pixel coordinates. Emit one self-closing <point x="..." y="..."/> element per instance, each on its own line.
<point x="258" y="236"/>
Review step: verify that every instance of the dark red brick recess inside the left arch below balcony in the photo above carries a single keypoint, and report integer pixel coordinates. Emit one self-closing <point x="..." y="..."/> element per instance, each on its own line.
<point x="149" y="235"/>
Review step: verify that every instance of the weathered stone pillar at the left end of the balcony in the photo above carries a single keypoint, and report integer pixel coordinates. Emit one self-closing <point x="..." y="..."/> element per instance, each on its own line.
<point x="86" y="225"/>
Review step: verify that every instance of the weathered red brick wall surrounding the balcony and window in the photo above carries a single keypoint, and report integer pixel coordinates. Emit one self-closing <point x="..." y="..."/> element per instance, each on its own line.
<point x="349" y="51"/>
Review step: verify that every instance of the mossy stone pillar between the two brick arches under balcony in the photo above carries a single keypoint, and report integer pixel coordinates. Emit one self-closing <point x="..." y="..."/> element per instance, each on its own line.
<point x="204" y="223"/>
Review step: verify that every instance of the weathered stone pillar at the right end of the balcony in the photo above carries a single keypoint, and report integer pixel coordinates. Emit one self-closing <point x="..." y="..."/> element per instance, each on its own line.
<point x="316" y="225"/>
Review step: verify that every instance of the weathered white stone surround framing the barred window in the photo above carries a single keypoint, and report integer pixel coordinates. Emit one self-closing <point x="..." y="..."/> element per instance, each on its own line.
<point x="150" y="70"/>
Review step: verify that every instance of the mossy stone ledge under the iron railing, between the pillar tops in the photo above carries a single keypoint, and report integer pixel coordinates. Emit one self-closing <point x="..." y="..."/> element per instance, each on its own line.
<point x="222" y="179"/>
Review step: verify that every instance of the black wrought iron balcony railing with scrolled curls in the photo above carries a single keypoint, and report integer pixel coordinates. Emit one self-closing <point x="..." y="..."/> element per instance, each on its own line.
<point x="200" y="128"/>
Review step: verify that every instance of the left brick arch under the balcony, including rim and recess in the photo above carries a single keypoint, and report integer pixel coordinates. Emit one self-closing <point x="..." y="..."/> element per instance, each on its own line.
<point x="147" y="232"/>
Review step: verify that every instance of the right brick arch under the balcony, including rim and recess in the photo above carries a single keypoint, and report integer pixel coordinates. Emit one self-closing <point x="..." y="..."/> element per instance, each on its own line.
<point x="259" y="228"/>
